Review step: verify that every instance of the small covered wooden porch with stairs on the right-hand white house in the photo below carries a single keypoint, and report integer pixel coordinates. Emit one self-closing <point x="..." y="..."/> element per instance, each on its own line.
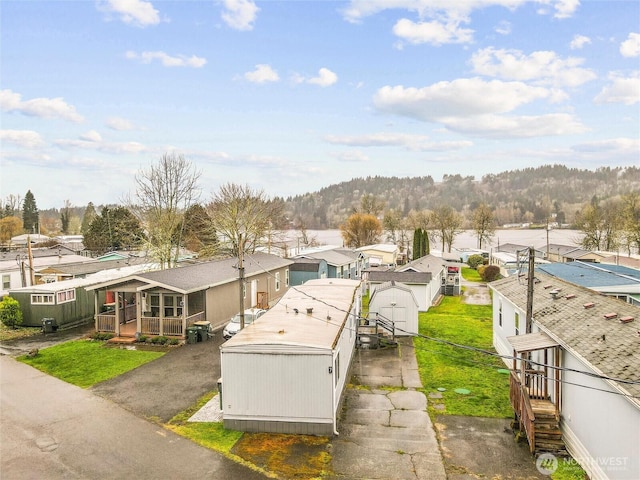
<point x="534" y="390"/>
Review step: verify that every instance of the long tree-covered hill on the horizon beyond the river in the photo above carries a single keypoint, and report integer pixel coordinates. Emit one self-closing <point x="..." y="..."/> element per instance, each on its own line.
<point x="516" y="196"/>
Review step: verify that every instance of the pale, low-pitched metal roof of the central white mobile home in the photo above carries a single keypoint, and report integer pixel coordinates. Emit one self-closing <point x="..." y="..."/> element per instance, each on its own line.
<point x="287" y="326"/>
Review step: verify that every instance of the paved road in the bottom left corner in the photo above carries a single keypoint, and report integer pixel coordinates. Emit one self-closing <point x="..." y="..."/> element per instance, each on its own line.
<point x="51" y="429"/>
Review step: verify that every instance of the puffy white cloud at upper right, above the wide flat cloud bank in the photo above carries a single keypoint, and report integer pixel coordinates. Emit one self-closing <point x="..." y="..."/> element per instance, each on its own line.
<point x="543" y="67"/>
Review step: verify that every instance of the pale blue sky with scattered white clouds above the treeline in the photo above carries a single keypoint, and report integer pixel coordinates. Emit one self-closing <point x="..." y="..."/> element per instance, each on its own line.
<point x="292" y="96"/>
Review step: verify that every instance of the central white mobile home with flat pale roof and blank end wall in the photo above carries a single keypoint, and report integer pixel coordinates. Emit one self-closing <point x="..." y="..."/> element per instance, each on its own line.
<point x="286" y="372"/>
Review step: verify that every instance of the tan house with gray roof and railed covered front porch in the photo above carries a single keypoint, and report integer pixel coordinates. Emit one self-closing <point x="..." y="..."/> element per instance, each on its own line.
<point x="166" y="302"/>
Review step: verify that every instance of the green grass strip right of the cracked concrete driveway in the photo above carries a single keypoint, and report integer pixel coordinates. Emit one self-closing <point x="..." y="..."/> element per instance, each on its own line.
<point x="448" y="367"/>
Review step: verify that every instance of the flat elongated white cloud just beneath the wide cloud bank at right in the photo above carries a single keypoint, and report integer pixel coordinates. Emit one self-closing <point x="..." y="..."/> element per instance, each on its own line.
<point x="497" y="126"/>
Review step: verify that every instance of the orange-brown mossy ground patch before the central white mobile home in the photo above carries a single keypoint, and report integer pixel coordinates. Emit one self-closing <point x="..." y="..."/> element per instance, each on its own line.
<point x="288" y="456"/>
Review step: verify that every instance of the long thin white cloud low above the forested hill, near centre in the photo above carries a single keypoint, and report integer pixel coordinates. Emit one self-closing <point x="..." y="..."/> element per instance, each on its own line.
<point x="408" y="141"/>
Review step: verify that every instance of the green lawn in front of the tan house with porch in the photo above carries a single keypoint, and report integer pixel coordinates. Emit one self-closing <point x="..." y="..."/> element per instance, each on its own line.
<point x="85" y="362"/>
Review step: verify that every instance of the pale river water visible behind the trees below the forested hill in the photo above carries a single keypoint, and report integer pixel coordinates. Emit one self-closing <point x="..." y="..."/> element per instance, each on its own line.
<point x="526" y="237"/>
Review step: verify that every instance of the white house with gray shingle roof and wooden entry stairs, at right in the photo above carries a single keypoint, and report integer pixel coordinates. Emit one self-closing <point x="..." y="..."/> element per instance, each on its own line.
<point x="574" y="370"/>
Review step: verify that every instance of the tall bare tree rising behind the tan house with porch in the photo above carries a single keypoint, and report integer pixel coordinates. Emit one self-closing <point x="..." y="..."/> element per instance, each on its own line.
<point x="164" y="192"/>
